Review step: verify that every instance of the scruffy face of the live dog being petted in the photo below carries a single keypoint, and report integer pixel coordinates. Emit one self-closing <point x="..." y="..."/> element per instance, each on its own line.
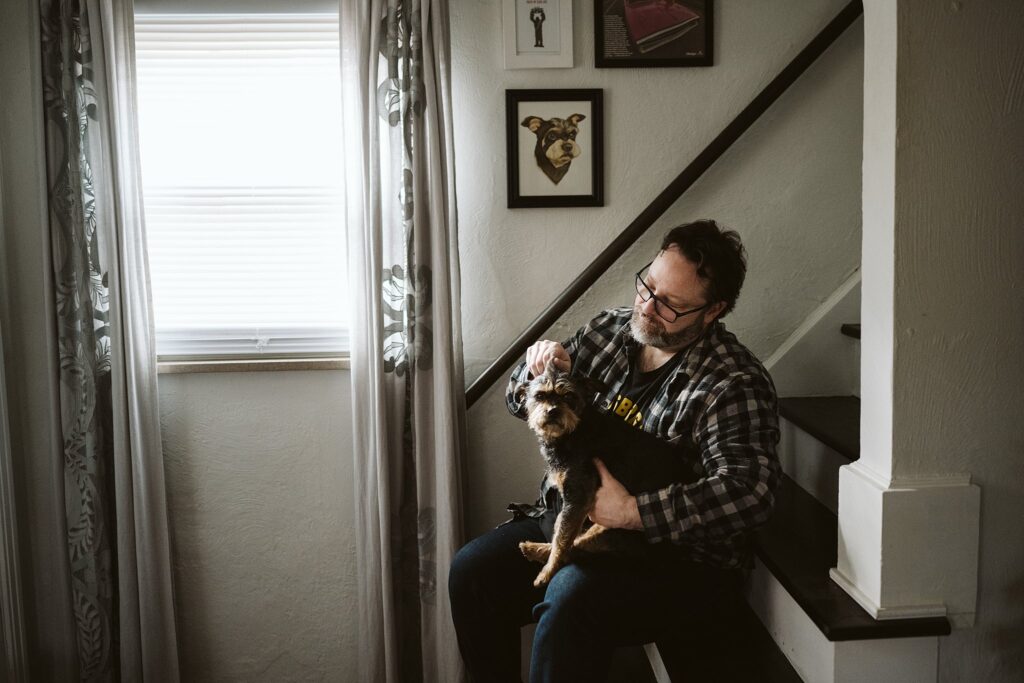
<point x="556" y="402"/>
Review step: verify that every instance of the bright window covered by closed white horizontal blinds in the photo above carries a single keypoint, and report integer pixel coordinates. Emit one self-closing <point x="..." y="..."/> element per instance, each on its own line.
<point x="240" y="139"/>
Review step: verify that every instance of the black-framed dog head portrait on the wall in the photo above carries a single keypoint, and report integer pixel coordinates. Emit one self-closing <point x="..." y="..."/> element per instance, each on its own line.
<point x="556" y="148"/>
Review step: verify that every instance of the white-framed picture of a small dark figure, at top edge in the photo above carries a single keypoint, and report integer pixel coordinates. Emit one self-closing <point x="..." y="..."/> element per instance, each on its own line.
<point x="538" y="33"/>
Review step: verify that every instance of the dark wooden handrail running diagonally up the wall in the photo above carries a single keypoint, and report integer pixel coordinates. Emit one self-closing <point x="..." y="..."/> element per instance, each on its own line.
<point x="669" y="196"/>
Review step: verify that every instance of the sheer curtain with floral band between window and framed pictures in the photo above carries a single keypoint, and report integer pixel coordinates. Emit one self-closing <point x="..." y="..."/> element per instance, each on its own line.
<point x="409" y="405"/>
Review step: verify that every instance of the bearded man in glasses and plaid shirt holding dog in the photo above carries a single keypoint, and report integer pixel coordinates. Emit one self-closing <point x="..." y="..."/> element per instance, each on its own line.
<point x="674" y="371"/>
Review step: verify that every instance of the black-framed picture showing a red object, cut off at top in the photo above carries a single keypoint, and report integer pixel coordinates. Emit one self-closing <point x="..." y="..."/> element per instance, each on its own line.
<point x="654" y="33"/>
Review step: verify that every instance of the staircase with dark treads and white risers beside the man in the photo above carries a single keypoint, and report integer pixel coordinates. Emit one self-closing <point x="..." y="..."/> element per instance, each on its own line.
<point x="825" y="634"/>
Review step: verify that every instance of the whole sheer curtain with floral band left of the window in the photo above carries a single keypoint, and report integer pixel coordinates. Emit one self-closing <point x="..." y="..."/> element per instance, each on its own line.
<point x="117" y="541"/>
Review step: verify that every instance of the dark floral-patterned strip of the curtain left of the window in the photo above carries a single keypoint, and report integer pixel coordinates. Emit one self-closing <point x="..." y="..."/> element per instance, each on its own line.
<point x="83" y="328"/>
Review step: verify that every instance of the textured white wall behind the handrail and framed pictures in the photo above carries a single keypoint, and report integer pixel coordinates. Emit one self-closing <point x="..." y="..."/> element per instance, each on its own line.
<point x="791" y="187"/>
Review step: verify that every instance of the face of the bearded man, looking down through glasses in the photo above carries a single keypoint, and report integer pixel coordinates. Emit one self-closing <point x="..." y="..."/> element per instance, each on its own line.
<point x="674" y="280"/>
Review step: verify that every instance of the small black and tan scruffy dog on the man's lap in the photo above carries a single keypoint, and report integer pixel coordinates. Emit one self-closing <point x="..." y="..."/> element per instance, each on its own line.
<point x="572" y="434"/>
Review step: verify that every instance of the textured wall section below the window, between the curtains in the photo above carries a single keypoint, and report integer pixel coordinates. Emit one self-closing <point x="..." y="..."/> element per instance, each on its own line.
<point x="260" y="469"/>
